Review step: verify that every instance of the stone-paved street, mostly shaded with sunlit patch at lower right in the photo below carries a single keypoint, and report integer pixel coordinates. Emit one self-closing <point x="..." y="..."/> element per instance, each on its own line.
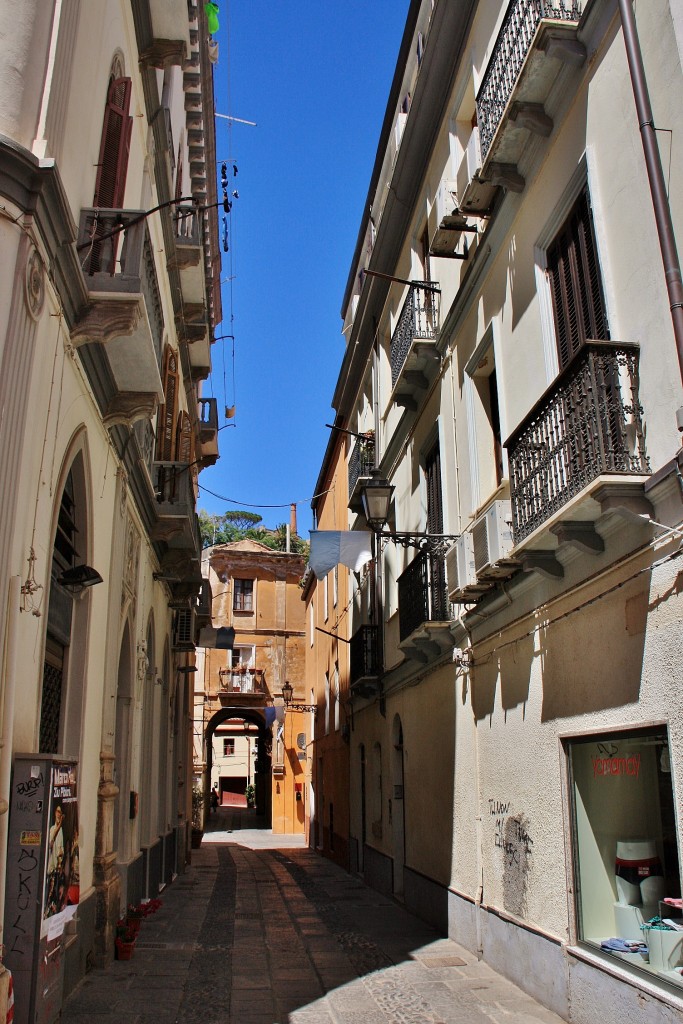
<point x="261" y="930"/>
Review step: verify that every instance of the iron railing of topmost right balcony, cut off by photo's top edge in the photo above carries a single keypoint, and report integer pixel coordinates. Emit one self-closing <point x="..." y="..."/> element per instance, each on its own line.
<point x="513" y="46"/>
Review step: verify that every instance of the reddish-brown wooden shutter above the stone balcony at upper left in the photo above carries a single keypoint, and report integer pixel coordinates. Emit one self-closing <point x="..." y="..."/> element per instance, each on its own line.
<point x="115" y="147"/>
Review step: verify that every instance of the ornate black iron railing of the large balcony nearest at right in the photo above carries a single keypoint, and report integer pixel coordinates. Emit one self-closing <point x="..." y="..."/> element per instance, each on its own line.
<point x="588" y="423"/>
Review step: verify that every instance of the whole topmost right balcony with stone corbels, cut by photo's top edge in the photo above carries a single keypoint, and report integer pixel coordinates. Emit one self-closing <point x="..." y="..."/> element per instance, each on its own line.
<point x="534" y="52"/>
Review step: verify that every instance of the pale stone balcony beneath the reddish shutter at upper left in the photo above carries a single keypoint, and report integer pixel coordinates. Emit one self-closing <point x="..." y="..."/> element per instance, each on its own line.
<point x="124" y="316"/>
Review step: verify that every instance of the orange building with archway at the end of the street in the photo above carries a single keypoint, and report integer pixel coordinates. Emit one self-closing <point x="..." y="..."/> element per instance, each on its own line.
<point x="258" y="594"/>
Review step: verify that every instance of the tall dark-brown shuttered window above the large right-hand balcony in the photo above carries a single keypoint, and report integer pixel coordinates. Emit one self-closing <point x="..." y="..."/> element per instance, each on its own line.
<point x="576" y="285"/>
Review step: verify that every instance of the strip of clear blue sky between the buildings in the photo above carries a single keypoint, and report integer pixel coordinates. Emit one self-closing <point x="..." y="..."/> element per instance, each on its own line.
<point x="316" y="79"/>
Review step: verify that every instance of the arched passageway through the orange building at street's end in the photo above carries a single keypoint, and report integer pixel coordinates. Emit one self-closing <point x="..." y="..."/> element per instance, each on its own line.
<point x="238" y="756"/>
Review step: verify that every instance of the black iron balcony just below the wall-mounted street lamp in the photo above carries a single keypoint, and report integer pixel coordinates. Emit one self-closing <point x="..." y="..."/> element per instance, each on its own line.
<point x="424" y="613"/>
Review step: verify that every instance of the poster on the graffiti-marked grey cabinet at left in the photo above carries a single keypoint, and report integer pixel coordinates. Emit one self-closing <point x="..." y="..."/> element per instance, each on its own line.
<point x="62" y="886"/>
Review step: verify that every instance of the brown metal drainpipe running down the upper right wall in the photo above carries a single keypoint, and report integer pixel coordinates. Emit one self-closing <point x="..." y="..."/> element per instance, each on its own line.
<point x="663" y="219"/>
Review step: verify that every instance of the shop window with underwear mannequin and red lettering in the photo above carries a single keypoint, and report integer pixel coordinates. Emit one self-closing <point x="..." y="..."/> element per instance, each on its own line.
<point x="626" y="856"/>
